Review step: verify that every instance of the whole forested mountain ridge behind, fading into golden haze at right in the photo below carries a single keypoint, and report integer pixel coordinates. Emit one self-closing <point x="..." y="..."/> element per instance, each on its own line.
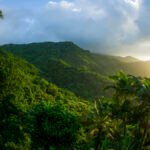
<point x="80" y="71"/>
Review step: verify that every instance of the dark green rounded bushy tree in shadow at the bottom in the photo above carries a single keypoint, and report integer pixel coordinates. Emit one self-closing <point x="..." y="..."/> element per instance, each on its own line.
<point x="53" y="126"/>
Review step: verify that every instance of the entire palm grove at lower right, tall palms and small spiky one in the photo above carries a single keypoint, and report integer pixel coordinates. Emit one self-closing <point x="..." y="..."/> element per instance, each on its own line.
<point x="122" y="122"/>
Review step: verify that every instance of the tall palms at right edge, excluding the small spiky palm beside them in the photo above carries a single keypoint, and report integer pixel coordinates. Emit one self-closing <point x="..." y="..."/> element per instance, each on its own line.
<point x="132" y="95"/>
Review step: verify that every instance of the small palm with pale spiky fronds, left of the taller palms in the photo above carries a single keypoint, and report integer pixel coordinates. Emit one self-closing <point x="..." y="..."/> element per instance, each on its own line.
<point x="103" y="127"/>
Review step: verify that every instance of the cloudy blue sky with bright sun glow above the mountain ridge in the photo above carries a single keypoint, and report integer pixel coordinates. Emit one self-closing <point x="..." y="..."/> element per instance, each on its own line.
<point x="114" y="27"/>
